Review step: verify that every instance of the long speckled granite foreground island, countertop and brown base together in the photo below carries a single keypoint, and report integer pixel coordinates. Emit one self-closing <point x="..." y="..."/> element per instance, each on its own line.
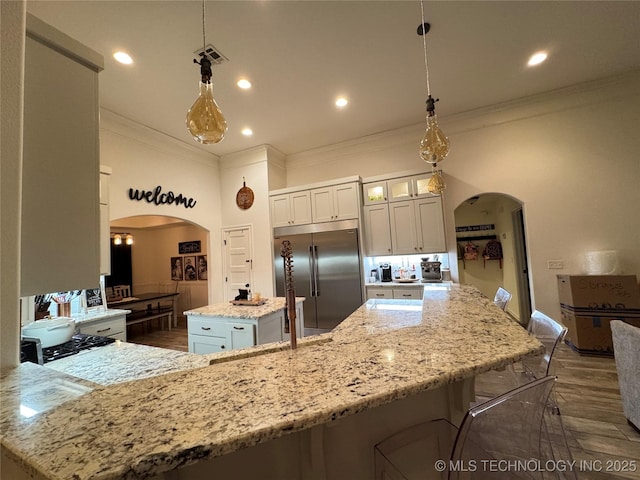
<point x="312" y="413"/>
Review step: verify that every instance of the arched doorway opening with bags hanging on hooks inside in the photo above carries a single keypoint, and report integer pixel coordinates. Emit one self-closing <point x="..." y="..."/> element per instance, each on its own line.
<point x="489" y="217"/>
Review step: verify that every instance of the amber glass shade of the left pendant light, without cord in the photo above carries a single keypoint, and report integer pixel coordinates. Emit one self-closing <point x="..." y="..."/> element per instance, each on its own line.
<point x="204" y="119"/>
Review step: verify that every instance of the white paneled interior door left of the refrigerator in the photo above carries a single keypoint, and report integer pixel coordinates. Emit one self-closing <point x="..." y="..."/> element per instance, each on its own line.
<point x="237" y="260"/>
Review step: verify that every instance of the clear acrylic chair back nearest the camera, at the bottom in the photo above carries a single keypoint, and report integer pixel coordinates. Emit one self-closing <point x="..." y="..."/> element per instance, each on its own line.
<point x="506" y="430"/>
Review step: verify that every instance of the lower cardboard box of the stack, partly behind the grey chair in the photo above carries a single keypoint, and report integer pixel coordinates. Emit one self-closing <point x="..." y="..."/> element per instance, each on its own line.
<point x="590" y="330"/>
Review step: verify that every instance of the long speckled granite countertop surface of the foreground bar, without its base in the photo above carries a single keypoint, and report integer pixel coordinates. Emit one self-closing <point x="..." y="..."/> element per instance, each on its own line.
<point x="386" y="350"/>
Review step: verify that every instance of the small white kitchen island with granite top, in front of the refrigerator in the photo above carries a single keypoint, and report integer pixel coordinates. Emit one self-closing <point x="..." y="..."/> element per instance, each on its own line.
<point x="223" y="326"/>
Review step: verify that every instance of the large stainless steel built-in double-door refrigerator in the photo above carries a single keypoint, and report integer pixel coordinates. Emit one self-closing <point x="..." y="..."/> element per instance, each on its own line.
<point x="326" y="270"/>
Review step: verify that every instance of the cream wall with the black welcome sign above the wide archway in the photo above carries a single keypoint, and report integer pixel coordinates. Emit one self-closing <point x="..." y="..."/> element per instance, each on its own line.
<point x="143" y="159"/>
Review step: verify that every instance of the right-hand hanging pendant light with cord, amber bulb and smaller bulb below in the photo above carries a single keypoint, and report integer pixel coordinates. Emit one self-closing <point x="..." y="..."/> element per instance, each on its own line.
<point x="434" y="146"/>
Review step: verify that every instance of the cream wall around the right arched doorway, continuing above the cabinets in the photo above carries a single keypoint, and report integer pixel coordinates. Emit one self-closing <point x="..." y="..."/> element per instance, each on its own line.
<point x="571" y="157"/>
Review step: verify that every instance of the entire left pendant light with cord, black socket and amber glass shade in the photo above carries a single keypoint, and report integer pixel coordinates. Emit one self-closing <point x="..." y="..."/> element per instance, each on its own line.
<point x="204" y="119"/>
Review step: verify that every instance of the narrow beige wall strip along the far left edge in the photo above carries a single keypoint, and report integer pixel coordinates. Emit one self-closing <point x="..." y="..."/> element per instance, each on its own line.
<point x="12" y="40"/>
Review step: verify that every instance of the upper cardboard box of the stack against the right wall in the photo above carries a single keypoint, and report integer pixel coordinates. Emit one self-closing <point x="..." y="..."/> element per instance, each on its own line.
<point x="599" y="291"/>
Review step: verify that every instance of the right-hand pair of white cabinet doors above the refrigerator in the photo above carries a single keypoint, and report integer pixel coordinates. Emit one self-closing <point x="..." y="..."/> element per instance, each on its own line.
<point x="338" y="202"/>
